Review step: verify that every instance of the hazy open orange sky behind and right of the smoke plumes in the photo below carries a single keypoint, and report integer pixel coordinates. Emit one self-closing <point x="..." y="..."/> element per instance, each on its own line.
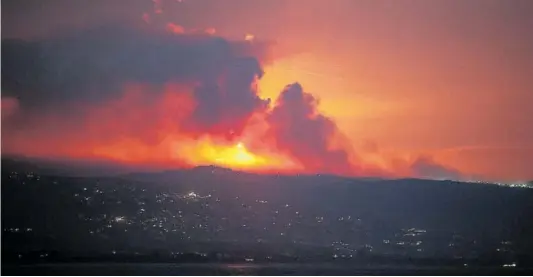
<point x="449" y="79"/>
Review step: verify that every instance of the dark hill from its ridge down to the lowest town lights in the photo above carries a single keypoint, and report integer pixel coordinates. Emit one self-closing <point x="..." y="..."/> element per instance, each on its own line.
<point x="161" y="210"/>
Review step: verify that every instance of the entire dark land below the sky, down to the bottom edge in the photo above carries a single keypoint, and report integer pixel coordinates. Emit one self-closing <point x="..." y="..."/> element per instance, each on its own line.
<point x="211" y="220"/>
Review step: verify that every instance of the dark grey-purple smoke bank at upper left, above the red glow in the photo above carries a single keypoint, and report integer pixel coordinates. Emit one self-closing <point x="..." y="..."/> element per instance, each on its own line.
<point x="92" y="65"/>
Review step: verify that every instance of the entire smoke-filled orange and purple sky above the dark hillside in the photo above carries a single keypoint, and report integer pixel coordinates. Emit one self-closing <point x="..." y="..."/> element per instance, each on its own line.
<point x="419" y="88"/>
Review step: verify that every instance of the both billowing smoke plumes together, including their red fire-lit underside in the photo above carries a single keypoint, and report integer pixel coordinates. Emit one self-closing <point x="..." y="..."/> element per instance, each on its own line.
<point x="162" y="96"/>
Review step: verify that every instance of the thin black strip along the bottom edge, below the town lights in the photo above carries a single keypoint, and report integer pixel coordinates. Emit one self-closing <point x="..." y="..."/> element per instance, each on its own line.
<point x="247" y="269"/>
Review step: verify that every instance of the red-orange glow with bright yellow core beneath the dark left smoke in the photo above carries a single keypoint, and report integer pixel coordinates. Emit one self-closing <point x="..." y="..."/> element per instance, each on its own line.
<point x="133" y="129"/>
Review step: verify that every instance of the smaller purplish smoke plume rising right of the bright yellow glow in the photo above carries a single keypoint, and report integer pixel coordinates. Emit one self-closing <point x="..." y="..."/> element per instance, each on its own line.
<point x="299" y="130"/>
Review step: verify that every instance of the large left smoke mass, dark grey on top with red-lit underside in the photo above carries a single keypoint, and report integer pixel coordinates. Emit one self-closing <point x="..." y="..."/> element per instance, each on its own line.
<point x="129" y="93"/>
